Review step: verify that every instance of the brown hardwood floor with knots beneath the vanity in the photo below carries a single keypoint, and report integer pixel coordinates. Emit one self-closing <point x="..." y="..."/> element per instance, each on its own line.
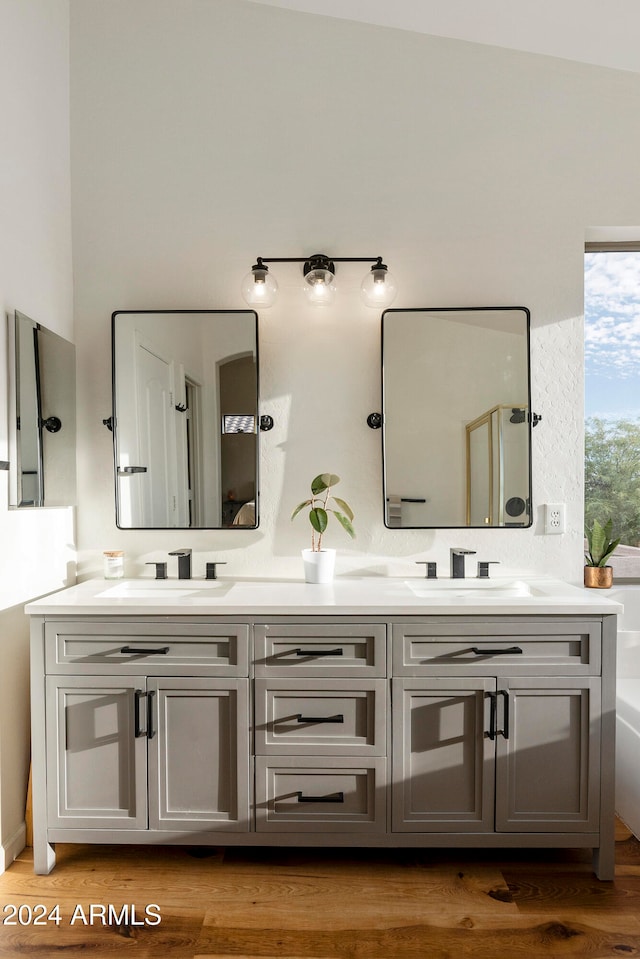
<point x="322" y="904"/>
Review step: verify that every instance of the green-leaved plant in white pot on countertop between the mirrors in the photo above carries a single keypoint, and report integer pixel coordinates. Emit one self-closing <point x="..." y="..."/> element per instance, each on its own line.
<point x="318" y="561"/>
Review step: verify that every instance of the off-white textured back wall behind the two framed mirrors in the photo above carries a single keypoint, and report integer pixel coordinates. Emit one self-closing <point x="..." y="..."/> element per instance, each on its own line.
<point x="207" y="132"/>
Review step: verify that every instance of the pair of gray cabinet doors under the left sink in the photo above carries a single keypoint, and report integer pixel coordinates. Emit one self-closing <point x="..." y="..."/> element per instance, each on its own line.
<point x="115" y="736"/>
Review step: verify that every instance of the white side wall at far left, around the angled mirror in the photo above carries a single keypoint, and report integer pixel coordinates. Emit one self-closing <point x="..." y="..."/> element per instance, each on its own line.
<point x="38" y="553"/>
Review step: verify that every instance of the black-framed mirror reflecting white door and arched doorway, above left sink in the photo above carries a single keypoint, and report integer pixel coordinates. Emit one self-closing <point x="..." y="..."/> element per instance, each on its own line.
<point x="185" y="418"/>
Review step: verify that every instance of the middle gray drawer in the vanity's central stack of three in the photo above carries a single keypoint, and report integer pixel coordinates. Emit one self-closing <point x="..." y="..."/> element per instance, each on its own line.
<point x="337" y="717"/>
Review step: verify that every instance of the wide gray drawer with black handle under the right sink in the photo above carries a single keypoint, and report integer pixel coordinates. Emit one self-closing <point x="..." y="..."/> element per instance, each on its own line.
<point x="540" y="646"/>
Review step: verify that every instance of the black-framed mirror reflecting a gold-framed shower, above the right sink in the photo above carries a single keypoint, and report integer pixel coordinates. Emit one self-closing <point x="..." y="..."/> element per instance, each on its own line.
<point x="456" y="417"/>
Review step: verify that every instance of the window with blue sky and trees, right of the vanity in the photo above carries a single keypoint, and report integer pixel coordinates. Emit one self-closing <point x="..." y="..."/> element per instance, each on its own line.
<point x="612" y="396"/>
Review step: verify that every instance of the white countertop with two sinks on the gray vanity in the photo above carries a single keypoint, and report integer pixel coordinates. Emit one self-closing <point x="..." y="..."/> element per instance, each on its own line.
<point x="372" y="595"/>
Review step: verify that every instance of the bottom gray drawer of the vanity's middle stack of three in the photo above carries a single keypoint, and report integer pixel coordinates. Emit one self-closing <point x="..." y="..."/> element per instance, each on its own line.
<point x="298" y="794"/>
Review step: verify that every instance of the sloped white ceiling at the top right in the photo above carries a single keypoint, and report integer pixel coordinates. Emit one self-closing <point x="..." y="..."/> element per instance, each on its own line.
<point x="590" y="31"/>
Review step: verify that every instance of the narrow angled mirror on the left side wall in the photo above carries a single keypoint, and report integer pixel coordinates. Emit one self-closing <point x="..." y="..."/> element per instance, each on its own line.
<point x="42" y="415"/>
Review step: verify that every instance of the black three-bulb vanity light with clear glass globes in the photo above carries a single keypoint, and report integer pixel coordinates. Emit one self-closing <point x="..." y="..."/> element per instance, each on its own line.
<point x="378" y="289"/>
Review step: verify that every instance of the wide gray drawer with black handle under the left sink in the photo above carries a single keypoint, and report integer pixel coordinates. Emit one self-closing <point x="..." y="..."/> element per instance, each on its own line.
<point x="141" y="648"/>
